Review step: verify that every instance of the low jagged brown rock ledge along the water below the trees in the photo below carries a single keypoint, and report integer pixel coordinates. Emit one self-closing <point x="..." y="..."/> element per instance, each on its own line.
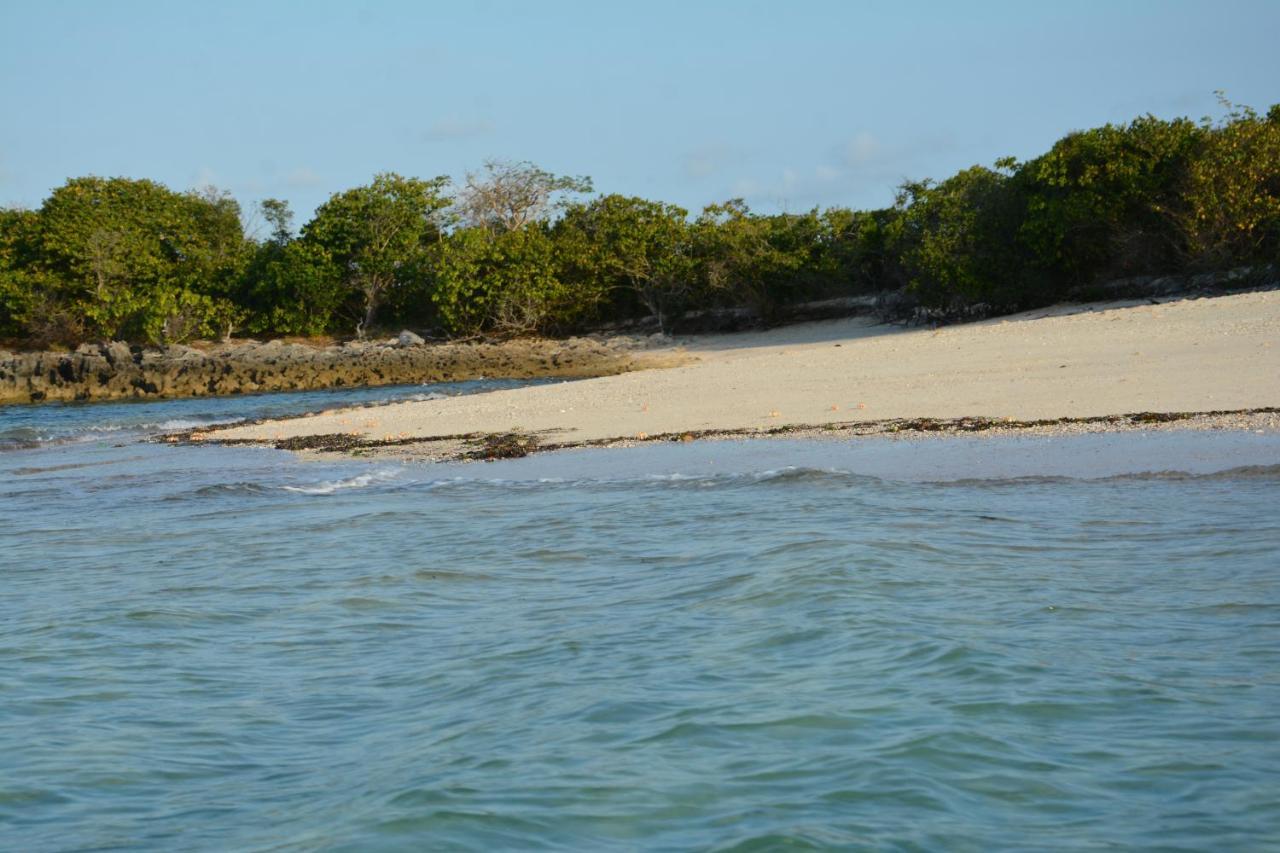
<point x="120" y="372"/>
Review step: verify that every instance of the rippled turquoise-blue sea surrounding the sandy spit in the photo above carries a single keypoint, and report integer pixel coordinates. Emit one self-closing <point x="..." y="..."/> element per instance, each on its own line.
<point x="723" y="646"/>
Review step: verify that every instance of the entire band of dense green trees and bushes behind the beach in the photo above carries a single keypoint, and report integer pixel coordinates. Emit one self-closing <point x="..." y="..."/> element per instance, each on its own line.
<point x="520" y="250"/>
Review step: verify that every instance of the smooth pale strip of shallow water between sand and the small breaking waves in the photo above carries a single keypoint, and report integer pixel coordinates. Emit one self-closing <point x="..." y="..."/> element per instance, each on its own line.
<point x="906" y="458"/>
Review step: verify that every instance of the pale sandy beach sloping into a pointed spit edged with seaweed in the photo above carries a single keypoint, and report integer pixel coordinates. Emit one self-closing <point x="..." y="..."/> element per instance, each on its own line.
<point x="1067" y="362"/>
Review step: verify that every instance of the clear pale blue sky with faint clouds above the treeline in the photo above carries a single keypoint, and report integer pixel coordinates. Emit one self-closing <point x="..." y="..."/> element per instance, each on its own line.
<point x="787" y="104"/>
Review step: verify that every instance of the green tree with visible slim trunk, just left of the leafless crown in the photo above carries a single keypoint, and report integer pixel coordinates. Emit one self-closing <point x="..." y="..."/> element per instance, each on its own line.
<point x="374" y="235"/>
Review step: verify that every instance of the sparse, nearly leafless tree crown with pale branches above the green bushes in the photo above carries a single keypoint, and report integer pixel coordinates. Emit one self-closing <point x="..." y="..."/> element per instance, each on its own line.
<point x="508" y="197"/>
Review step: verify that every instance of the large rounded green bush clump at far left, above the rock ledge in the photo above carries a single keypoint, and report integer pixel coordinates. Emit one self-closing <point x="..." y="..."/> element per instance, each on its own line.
<point x="124" y="259"/>
